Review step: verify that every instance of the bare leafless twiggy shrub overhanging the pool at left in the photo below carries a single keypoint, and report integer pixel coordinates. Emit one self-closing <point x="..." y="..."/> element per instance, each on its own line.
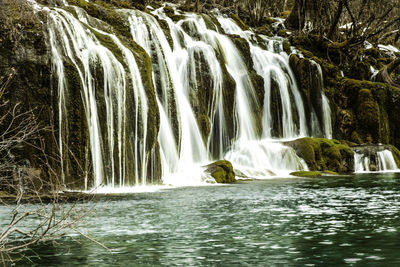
<point x="39" y="210"/>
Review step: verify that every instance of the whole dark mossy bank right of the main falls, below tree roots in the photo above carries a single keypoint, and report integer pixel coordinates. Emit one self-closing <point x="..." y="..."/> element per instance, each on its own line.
<point x="362" y="111"/>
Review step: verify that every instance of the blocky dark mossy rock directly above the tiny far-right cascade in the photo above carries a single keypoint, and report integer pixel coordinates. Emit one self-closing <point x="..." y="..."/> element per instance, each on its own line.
<point x="367" y="112"/>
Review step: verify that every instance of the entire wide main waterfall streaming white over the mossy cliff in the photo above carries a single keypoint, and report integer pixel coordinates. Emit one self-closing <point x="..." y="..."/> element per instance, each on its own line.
<point x="207" y="101"/>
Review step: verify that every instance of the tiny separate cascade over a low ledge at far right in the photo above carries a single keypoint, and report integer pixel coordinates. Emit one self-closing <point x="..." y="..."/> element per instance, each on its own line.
<point x="374" y="158"/>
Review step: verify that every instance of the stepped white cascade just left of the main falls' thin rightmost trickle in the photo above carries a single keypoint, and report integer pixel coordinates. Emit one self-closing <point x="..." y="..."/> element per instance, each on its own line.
<point x="272" y="64"/>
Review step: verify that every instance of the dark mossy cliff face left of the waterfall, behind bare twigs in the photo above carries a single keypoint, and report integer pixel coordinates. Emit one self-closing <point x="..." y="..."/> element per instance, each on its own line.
<point x="23" y="51"/>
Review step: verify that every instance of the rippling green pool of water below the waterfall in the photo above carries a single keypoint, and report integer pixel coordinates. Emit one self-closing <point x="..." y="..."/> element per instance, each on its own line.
<point x="352" y="220"/>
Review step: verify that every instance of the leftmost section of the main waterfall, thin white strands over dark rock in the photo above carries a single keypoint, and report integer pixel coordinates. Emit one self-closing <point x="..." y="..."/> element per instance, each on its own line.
<point x="78" y="42"/>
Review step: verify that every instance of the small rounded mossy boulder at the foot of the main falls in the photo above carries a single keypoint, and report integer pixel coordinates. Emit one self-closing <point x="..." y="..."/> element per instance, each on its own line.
<point x="221" y="171"/>
